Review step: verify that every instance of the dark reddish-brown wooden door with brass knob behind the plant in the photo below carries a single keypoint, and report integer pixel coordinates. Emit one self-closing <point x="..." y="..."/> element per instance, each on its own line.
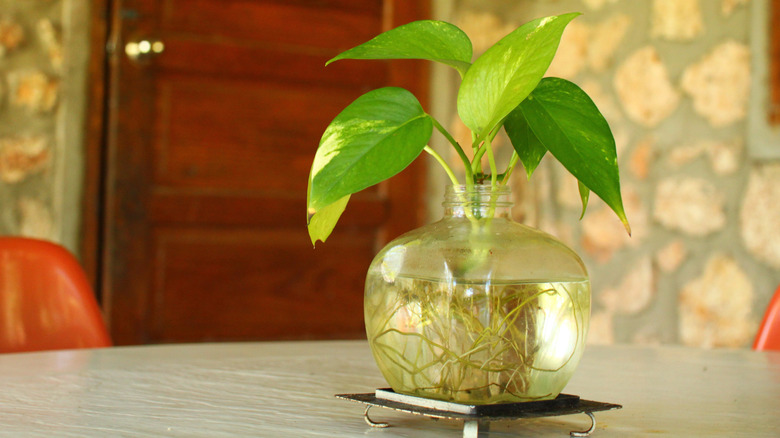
<point x="209" y="144"/>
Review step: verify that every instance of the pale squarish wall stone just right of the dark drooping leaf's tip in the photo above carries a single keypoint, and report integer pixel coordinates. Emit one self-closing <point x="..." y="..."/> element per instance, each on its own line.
<point x="691" y="205"/>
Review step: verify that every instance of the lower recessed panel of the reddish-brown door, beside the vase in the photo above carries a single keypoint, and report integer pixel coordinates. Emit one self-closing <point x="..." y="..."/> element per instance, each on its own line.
<point x="315" y="295"/>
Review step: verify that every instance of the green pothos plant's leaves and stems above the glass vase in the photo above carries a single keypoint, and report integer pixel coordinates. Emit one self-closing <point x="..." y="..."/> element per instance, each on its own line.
<point x="384" y="130"/>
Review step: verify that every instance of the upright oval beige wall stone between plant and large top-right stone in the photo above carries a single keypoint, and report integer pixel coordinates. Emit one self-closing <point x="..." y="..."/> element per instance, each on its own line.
<point x="643" y="86"/>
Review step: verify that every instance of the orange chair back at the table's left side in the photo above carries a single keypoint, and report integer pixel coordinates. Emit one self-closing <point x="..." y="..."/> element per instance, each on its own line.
<point x="46" y="302"/>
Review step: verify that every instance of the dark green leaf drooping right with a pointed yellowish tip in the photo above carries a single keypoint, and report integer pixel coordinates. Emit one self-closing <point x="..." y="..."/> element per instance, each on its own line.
<point x="569" y="125"/>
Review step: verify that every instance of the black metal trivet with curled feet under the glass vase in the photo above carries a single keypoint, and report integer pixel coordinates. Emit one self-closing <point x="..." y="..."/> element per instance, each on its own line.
<point x="476" y="417"/>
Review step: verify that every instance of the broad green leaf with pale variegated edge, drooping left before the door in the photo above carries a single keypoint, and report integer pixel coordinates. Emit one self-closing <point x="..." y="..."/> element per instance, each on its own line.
<point x="372" y="139"/>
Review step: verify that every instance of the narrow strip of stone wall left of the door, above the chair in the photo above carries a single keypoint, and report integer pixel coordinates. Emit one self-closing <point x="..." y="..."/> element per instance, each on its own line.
<point x="43" y="63"/>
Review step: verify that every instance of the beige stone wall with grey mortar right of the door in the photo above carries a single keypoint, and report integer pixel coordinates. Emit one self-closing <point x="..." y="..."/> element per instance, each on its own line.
<point x="673" y="79"/>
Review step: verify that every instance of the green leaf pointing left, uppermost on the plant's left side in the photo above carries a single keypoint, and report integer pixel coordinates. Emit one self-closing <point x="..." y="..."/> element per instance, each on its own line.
<point x="428" y="39"/>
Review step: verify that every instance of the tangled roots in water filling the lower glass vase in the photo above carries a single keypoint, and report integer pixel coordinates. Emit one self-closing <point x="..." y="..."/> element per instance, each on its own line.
<point x="476" y="343"/>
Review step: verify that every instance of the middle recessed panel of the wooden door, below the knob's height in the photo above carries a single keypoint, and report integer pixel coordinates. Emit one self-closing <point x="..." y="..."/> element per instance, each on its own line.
<point x="250" y="142"/>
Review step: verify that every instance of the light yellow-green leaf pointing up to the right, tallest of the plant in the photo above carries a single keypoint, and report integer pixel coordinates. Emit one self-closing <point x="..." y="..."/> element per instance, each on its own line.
<point x="507" y="72"/>
